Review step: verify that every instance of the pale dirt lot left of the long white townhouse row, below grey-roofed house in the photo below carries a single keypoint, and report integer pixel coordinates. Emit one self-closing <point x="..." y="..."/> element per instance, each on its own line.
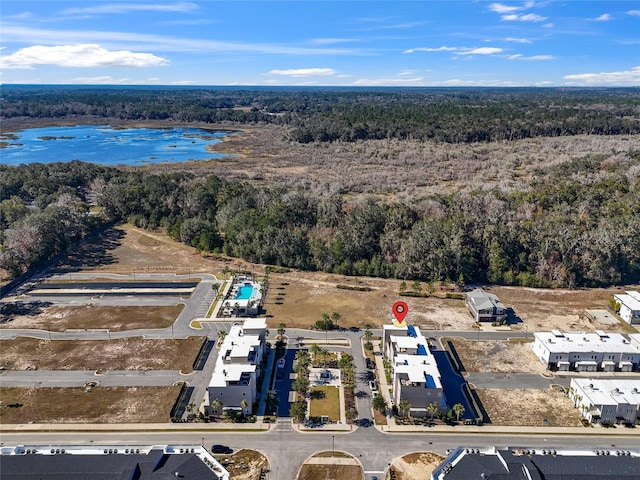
<point x="497" y="356"/>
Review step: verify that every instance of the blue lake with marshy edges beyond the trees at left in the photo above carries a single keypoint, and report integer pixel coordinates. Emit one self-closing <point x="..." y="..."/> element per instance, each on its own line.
<point x="106" y="145"/>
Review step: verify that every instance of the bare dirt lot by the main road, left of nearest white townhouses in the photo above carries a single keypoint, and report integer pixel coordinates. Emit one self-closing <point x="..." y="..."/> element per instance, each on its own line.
<point x="529" y="408"/>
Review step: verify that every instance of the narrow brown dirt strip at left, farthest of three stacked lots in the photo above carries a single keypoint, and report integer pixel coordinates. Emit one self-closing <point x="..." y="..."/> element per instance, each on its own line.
<point x="58" y="319"/>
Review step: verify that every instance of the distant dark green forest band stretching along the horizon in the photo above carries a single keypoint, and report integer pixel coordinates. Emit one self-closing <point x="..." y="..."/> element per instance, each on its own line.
<point x="327" y="115"/>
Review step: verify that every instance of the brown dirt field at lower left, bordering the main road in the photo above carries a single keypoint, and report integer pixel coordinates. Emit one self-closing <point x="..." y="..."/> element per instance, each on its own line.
<point x="76" y="405"/>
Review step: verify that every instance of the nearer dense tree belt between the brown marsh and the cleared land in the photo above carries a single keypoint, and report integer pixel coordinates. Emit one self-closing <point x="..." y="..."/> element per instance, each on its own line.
<point x="578" y="225"/>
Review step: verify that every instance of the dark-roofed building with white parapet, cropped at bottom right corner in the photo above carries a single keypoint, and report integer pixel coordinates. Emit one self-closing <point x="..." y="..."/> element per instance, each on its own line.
<point x="536" y="464"/>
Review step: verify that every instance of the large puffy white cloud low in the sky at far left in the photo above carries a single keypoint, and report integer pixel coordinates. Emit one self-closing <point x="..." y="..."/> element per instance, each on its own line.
<point x="80" y="55"/>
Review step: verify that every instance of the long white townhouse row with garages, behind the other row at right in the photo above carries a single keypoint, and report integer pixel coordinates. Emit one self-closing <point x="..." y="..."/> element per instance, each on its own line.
<point x="586" y="352"/>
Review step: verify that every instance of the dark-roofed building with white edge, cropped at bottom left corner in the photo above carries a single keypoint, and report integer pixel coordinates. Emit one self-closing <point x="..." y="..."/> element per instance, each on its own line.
<point x="157" y="462"/>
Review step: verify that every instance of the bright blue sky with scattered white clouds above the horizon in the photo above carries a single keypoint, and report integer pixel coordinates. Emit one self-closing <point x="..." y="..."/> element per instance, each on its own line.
<point x="347" y="43"/>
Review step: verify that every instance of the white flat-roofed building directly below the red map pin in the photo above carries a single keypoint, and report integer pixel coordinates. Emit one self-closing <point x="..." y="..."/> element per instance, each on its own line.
<point x="416" y="377"/>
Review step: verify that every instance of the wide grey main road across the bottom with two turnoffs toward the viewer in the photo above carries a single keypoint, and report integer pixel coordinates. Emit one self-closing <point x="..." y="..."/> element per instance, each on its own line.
<point x="287" y="449"/>
